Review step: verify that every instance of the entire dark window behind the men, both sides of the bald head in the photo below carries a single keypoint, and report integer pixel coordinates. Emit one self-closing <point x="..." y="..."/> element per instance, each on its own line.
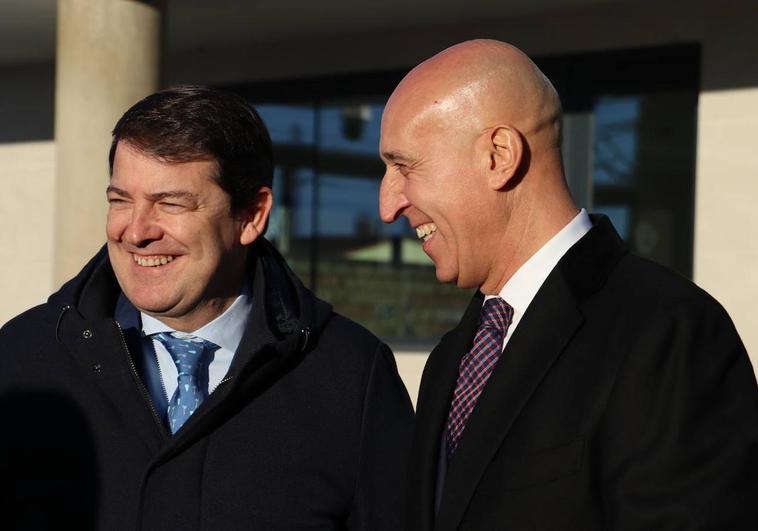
<point x="629" y="141"/>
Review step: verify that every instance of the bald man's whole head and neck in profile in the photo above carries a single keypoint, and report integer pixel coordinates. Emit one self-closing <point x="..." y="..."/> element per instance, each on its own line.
<point x="471" y="143"/>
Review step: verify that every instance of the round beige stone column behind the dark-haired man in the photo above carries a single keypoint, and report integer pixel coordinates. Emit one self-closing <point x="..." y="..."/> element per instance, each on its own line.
<point x="108" y="57"/>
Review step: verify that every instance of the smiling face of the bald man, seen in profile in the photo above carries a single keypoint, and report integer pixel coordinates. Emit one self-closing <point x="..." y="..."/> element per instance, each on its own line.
<point x="434" y="178"/>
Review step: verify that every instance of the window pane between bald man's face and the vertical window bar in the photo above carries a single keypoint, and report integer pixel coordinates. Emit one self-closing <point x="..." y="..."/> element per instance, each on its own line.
<point x="374" y="273"/>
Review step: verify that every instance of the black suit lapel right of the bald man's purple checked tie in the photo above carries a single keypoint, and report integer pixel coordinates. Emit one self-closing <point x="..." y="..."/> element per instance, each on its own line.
<point x="546" y="328"/>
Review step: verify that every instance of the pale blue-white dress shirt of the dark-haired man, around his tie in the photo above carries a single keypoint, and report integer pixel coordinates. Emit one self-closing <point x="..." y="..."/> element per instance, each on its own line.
<point x="225" y="331"/>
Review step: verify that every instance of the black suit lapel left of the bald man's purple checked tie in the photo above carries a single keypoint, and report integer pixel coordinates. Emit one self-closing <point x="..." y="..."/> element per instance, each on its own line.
<point x="436" y="388"/>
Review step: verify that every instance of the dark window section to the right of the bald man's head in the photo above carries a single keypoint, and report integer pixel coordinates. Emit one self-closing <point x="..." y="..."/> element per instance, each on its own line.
<point x="629" y="143"/>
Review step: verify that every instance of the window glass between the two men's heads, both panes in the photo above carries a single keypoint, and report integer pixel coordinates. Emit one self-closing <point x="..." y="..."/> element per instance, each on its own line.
<point x="326" y="222"/>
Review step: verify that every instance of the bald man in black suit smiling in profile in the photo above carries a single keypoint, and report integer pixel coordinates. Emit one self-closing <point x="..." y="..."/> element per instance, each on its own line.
<point x="584" y="388"/>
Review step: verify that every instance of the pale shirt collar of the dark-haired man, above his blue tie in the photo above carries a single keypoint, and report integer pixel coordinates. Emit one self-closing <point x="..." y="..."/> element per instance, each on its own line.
<point x="225" y="330"/>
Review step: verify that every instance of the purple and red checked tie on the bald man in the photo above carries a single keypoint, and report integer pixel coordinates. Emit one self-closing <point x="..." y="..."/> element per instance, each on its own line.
<point x="476" y="367"/>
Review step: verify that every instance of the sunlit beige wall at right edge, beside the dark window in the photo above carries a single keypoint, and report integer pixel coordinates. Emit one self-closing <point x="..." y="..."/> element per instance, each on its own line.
<point x="726" y="216"/>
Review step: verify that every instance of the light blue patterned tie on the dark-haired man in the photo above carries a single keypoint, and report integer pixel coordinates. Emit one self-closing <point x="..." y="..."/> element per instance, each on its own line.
<point x="189" y="354"/>
